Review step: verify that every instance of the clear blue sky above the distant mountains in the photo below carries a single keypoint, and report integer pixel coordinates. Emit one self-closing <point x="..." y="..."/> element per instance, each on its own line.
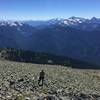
<point x="48" y="9"/>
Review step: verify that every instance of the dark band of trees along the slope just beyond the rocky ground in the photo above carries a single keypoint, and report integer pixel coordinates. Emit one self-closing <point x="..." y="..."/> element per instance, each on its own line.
<point x="43" y="58"/>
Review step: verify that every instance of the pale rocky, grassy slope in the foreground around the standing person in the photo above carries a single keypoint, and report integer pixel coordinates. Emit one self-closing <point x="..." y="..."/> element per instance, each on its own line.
<point x="19" y="81"/>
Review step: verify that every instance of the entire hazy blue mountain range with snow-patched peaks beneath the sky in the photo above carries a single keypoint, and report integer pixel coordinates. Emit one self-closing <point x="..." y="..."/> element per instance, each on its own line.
<point x="74" y="37"/>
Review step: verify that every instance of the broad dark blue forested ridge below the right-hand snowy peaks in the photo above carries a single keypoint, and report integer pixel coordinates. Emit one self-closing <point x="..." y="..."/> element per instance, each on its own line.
<point x="67" y="41"/>
